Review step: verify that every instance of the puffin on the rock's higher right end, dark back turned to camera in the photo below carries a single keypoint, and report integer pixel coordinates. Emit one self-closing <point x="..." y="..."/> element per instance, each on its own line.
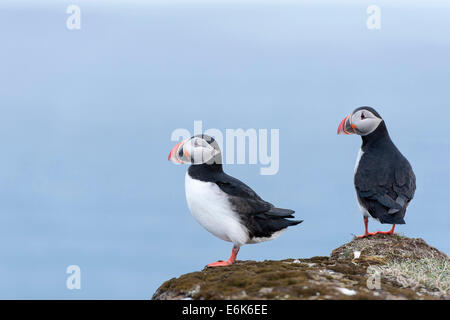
<point x="384" y="179"/>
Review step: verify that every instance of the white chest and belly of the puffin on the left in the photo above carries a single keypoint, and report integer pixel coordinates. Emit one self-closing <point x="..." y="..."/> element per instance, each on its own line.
<point x="211" y="208"/>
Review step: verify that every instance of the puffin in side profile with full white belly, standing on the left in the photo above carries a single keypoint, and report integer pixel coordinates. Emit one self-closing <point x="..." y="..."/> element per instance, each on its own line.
<point x="223" y="205"/>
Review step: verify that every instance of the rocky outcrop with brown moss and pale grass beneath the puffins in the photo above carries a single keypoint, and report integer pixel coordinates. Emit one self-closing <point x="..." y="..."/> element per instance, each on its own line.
<point x="379" y="267"/>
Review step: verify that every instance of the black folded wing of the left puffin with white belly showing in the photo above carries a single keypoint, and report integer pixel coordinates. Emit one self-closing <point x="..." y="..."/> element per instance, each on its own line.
<point x="261" y="217"/>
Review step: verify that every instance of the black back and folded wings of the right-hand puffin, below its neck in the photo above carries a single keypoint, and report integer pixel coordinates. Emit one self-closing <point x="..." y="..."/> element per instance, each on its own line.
<point x="385" y="184"/>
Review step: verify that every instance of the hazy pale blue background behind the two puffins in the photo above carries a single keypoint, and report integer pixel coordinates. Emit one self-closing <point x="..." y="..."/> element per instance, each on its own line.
<point x="86" y="118"/>
